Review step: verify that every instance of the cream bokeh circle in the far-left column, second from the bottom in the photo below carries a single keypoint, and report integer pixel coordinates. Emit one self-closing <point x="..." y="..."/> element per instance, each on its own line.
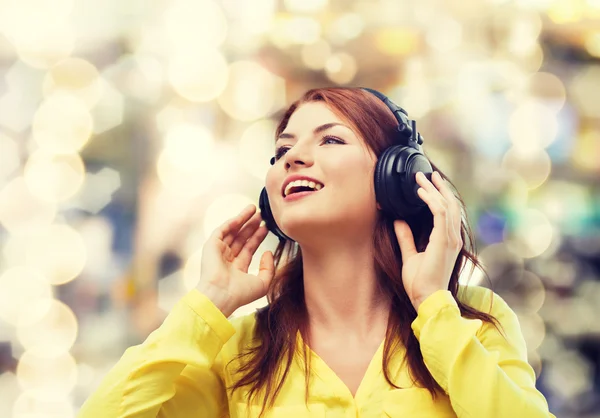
<point x="47" y="379"/>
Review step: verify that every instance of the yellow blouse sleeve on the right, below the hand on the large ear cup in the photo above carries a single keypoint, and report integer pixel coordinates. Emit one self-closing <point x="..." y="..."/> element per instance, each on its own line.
<point x="483" y="373"/>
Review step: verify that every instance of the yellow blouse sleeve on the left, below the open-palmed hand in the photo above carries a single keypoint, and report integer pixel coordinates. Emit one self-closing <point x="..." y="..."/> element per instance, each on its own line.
<point x="174" y="372"/>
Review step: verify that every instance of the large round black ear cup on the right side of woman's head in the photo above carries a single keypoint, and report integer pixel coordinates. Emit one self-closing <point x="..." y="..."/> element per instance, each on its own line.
<point x="395" y="183"/>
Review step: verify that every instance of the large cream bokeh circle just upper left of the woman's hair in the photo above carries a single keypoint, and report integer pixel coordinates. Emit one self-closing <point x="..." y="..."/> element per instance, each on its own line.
<point x="252" y="91"/>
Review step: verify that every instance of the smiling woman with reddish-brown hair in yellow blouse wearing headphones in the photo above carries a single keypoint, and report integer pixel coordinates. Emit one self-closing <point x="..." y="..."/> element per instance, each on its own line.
<point x="365" y="315"/>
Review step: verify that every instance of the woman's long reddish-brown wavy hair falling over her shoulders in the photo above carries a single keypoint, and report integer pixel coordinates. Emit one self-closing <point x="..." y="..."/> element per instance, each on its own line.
<point x="278" y="323"/>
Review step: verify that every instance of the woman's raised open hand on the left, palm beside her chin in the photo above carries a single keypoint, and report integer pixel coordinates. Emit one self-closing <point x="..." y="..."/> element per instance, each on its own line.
<point x="226" y="256"/>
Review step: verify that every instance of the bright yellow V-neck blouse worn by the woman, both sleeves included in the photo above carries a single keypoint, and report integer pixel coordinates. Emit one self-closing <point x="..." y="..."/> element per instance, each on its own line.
<point x="178" y="372"/>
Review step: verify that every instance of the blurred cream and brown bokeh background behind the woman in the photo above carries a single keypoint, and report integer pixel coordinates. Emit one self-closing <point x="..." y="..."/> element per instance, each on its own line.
<point x="130" y="130"/>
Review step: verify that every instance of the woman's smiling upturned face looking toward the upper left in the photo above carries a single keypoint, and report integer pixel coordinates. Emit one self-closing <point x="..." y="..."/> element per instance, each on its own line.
<point x="318" y="144"/>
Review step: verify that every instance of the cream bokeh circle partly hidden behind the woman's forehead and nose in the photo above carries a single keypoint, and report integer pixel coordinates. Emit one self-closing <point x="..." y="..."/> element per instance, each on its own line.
<point x="257" y="146"/>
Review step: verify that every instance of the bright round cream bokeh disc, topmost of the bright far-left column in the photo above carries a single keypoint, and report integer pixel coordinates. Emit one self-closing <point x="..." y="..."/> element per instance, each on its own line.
<point x="62" y="124"/>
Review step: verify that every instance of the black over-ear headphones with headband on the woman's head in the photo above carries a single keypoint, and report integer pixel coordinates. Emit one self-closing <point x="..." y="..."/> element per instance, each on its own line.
<point x="395" y="183"/>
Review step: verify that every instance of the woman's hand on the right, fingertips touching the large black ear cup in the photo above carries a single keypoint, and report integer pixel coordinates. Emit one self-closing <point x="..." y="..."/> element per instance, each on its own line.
<point x="424" y="273"/>
